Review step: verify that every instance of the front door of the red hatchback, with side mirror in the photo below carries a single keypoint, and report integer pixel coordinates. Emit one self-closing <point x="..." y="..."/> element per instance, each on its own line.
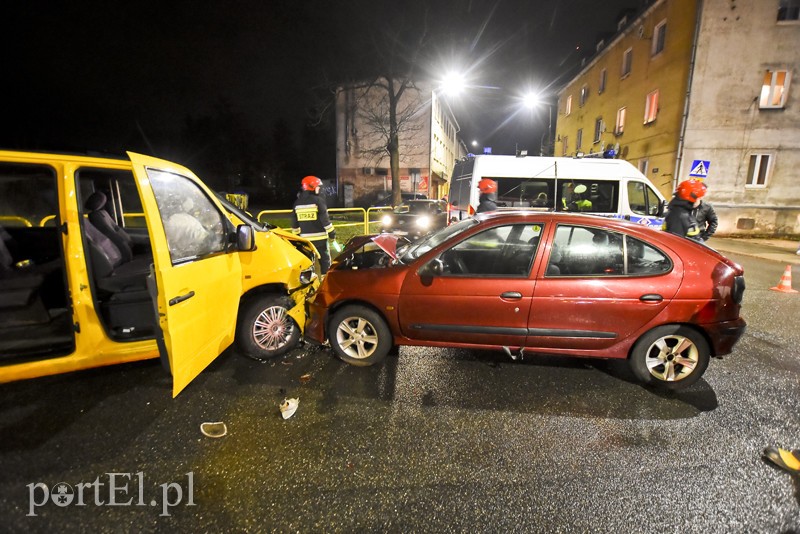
<point x="481" y="295"/>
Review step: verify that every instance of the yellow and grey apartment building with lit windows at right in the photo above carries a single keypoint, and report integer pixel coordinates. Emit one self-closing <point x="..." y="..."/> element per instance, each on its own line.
<point x="699" y="88"/>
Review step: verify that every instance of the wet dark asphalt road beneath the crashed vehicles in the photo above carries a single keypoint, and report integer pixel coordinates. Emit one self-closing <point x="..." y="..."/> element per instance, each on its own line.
<point x="433" y="440"/>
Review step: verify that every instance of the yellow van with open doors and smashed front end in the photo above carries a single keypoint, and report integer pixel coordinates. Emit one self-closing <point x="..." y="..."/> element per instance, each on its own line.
<point x="105" y="261"/>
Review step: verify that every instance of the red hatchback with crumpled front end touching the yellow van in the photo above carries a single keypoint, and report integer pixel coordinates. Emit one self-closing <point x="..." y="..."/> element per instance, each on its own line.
<point x="546" y="283"/>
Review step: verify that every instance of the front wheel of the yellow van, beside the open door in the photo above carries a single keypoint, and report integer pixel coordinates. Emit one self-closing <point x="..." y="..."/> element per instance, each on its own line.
<point x="265" y="329"/>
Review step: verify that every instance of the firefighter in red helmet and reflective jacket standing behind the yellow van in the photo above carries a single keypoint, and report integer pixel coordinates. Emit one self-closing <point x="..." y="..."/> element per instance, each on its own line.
<point x="310" y="219"/>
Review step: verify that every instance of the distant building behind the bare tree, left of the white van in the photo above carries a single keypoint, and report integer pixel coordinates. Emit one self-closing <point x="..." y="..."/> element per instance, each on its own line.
<point x="428" y="139"/>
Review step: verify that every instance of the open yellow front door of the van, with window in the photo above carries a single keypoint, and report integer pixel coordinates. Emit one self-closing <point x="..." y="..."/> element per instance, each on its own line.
<point x="198" y="280"/>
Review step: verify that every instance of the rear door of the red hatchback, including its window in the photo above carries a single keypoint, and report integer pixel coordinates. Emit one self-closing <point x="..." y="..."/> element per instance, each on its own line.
<point x="588" y="298"/>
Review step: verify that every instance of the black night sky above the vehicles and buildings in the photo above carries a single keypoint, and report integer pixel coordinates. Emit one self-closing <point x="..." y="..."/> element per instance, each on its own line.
<point x="113" y="76"/>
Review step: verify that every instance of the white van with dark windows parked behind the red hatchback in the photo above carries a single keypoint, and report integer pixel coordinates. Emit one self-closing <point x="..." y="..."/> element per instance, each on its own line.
<point x="608" y="187"/>
